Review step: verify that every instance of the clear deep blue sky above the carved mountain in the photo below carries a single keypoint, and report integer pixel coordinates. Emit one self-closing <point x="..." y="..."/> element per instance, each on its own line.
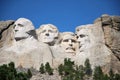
<point x="65" y="14"/>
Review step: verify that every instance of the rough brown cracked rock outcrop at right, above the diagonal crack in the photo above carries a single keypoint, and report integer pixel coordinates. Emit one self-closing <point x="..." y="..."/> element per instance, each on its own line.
<point x="111" y="28"/>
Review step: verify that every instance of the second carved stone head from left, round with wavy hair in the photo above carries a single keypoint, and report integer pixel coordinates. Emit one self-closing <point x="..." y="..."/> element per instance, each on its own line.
<point x="47" y="33"/>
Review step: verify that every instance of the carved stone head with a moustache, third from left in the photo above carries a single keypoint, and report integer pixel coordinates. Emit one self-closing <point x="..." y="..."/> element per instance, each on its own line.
<point x="68" y="43"/>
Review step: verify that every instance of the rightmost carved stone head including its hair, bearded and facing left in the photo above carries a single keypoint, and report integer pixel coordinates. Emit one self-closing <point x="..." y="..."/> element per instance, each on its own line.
<point x="84" y="37"/>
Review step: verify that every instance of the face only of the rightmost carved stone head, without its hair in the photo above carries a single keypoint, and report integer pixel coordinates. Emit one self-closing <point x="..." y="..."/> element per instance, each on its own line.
<point x="83" y="39"/>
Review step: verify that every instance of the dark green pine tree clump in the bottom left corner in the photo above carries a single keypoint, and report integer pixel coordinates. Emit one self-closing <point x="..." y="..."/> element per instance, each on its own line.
<point x="8" y="72"/>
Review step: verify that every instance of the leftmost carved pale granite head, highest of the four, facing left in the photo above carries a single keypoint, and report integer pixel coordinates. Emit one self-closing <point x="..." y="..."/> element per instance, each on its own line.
<point x="22" y="27"/>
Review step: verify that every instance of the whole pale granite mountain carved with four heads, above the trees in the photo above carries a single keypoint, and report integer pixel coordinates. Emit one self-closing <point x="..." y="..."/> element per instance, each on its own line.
<point x="28" y="47"/>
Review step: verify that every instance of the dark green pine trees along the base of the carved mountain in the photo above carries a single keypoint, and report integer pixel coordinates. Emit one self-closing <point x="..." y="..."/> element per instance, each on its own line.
<point x="68" y="71"/>
